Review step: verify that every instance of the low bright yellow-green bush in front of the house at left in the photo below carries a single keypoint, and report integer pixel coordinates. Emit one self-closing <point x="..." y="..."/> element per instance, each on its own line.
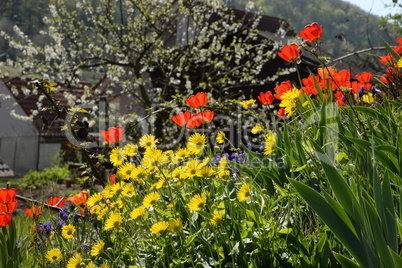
<point x="35" y="179"/>
